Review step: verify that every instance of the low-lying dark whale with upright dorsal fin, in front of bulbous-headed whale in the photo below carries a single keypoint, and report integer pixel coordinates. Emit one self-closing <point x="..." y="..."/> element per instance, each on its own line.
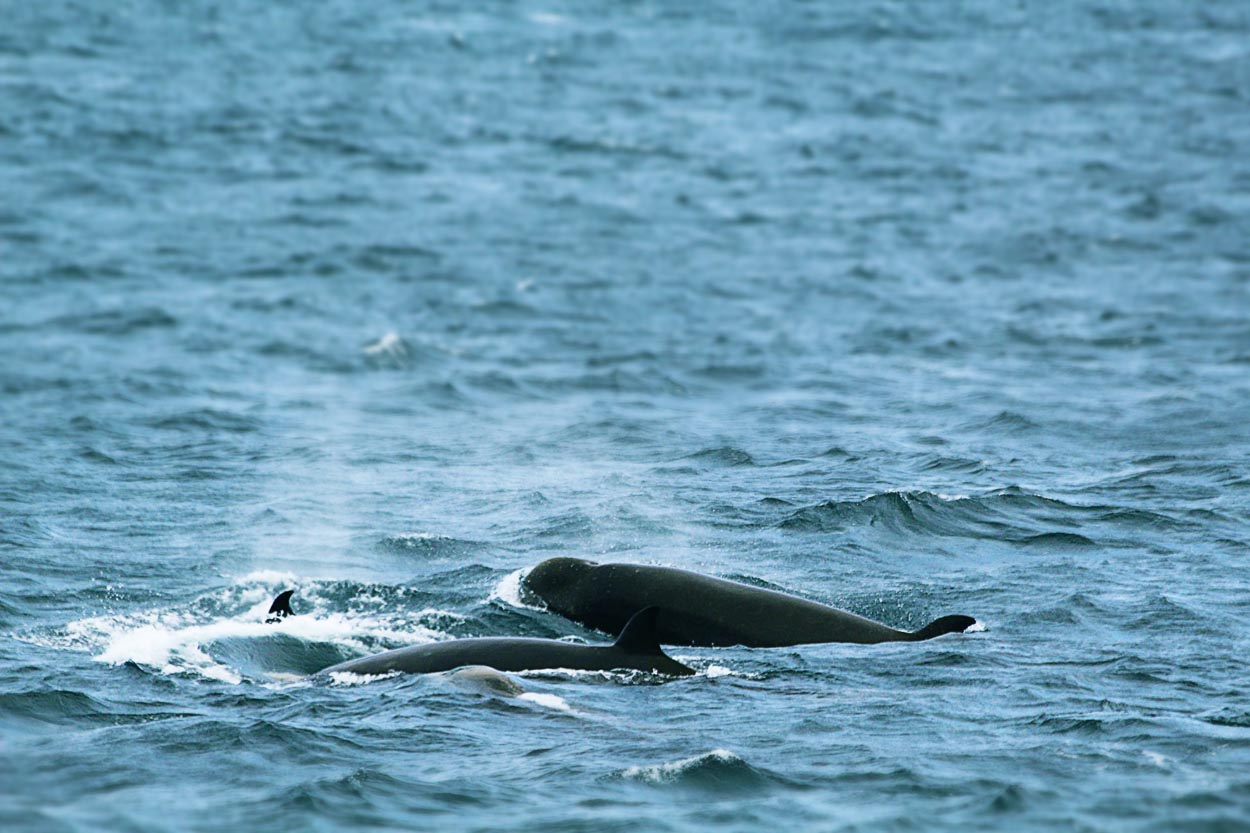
<point x="636" y="650"/>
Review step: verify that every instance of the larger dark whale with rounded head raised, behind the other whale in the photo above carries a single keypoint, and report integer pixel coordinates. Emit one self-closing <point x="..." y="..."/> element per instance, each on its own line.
<point x="702" y="611"/>
